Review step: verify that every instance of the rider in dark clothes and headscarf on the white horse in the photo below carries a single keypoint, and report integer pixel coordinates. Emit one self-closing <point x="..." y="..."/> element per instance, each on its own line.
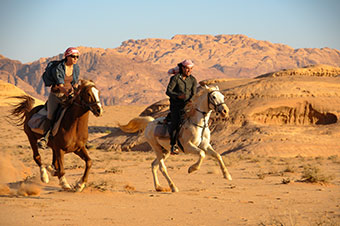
<point x="181" y="88"/>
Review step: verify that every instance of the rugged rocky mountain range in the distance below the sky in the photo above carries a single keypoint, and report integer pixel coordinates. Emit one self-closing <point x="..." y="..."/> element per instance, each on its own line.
<point x="136" y="72"/>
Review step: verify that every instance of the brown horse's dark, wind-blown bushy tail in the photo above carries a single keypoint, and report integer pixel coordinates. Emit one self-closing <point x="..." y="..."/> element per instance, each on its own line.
<point x="20" y="111"/>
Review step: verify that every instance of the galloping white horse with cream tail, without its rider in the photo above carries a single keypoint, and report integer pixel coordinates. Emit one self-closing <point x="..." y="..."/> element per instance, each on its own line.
<point x="194" y="135"/>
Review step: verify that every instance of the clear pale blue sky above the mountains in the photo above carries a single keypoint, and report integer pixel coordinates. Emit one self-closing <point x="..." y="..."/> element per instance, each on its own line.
<point x="31" y="29"/>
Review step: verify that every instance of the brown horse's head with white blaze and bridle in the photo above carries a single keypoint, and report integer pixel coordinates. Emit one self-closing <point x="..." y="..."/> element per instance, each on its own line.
<point x="89" y="97"/>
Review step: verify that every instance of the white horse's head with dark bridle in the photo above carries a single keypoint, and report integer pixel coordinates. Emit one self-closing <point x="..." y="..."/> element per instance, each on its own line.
<point x="216" y="101"/>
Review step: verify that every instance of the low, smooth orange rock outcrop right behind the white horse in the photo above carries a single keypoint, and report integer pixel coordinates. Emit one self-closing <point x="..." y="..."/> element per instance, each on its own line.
<point x="276" y="116"/>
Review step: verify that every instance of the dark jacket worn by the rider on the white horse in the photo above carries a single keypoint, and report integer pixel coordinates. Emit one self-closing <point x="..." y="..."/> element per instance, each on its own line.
<point x="177" y="86"/>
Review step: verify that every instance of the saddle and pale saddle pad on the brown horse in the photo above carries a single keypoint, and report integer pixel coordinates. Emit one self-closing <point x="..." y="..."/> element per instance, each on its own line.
<point x="37" y="122"/>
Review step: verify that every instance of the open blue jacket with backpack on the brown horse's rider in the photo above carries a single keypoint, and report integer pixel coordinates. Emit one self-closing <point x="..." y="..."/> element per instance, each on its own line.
<point x="57" y="75"/>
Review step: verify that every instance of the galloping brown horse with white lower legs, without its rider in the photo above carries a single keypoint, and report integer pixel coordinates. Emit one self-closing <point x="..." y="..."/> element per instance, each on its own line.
<point x="72" y="134"/>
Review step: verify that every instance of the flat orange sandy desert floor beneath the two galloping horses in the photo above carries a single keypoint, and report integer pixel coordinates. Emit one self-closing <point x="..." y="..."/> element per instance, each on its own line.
<point x="264" y="190"/>
